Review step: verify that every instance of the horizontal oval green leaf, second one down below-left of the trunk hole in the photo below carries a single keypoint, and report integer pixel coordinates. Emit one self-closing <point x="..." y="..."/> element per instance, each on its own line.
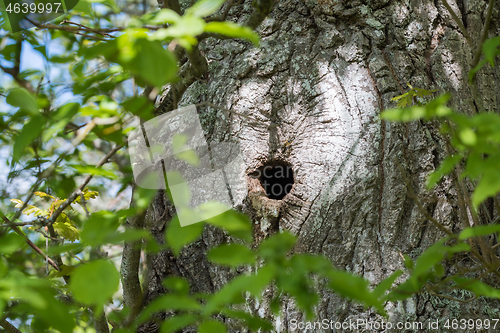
<point x="232" y="255"/>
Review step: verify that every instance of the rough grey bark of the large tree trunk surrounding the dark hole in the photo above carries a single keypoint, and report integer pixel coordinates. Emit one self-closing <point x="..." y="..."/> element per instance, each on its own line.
<point x="323" y="73"/>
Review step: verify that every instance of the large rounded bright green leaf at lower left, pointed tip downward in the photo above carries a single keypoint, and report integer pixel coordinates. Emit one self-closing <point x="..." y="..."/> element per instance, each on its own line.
<point x="94" y="283"/>
